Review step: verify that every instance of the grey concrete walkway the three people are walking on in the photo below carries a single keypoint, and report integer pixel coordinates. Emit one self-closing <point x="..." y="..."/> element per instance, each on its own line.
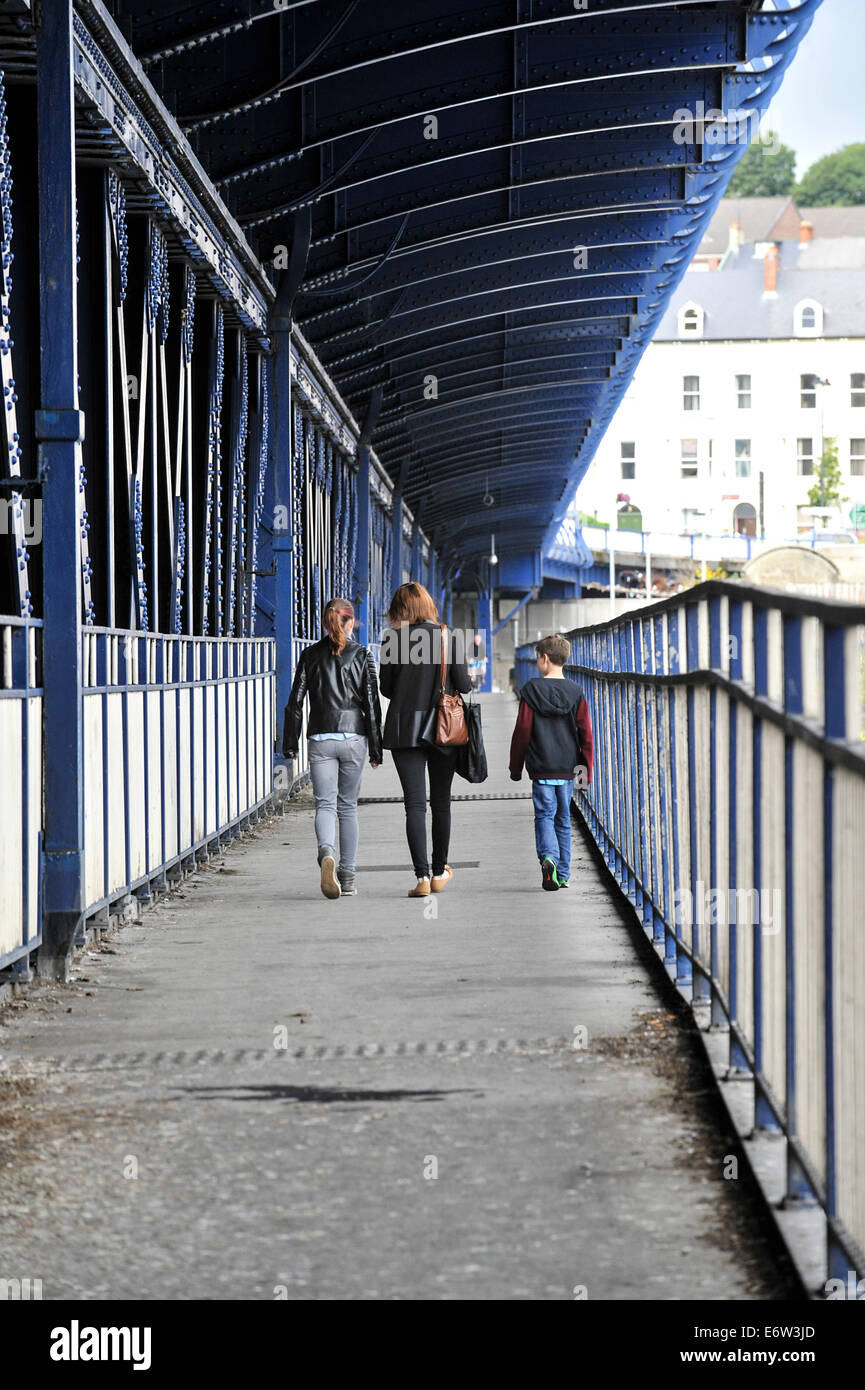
<point x="248" y="1095"/>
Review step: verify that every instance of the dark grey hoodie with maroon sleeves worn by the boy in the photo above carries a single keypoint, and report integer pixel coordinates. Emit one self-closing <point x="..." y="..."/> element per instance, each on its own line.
<point x="553" y="732"/>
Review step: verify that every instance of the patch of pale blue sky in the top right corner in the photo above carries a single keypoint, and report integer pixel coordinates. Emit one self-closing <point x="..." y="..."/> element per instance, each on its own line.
<point x="821" y="104"/>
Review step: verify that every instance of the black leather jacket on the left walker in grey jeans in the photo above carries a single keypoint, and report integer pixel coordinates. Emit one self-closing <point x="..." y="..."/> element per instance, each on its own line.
<point x="343" y="697"/>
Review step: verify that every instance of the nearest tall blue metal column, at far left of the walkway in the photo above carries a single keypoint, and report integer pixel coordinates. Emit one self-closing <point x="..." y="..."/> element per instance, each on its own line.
<point x="59" y="433"/>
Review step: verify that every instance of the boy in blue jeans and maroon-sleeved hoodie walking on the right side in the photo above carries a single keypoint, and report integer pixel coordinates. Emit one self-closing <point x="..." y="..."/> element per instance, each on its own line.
<point x="554" y="739"/>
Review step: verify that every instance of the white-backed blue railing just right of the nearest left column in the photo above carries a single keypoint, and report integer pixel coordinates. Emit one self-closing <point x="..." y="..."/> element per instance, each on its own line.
<point x="179" y="736"/>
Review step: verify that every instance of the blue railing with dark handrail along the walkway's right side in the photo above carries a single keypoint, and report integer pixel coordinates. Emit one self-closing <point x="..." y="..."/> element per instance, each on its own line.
<point x="729" y="804"/>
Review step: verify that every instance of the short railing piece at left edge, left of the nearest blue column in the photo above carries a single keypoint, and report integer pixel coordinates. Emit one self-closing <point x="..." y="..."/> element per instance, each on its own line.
<point x="22" y="787"/>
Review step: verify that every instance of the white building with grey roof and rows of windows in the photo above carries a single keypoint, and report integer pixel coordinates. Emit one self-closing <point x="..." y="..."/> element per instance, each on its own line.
<point x="724" y="426"/>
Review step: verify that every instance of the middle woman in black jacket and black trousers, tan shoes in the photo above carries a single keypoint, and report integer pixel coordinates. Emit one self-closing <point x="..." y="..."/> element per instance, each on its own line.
<point x="411" y="679"/>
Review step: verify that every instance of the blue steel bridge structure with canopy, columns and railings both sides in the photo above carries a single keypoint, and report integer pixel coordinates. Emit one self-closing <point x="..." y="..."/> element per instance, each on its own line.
<point x="315" y="297"/>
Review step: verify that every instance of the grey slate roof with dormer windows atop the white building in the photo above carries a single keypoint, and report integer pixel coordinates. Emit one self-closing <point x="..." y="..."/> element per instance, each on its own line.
<point x="735" y="306"/>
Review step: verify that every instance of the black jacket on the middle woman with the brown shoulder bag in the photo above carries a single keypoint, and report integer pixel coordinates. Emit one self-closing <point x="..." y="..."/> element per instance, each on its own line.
<point x="411" y="679"/>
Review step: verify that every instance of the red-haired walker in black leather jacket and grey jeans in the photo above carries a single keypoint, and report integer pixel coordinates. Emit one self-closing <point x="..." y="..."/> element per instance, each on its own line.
<point x="344" y="723"/>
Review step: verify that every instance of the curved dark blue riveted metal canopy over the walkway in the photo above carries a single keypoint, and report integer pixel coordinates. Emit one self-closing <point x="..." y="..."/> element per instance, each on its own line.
<point x="421" y="184"/>
